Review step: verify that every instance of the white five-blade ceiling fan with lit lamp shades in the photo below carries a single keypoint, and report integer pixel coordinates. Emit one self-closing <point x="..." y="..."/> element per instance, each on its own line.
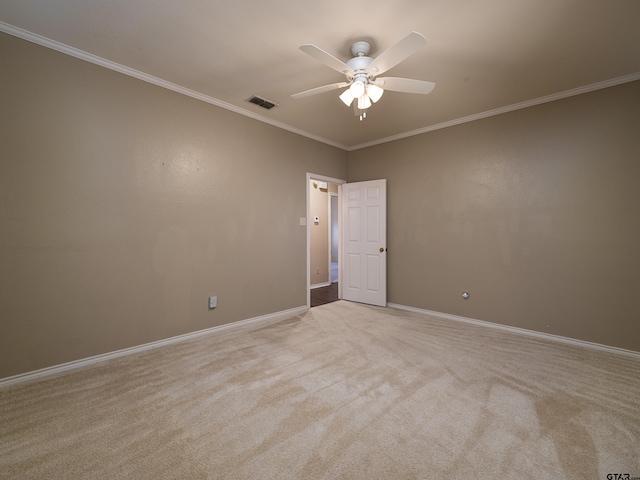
<point x="365" y="87"/>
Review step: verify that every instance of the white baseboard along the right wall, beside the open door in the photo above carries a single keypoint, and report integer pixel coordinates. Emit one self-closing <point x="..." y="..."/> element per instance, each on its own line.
<point x="521" y="331"/>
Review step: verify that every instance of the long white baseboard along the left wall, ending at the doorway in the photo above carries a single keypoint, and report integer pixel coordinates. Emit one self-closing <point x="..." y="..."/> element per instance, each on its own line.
<point x="83" y="362"/>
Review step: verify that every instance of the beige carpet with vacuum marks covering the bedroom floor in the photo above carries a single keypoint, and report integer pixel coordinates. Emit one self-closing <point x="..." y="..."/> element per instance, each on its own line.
<point x="343" y="391"/>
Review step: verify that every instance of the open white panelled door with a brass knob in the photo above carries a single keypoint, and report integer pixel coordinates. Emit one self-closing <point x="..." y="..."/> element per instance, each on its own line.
<point x="364" y="242"/>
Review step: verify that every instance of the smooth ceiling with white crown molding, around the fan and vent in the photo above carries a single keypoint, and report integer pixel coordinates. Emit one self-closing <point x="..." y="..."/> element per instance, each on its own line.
<point x="483" y="55"/>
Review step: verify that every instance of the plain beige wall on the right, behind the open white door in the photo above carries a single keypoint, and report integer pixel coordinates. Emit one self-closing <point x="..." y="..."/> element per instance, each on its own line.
<point x="534" y="212"/>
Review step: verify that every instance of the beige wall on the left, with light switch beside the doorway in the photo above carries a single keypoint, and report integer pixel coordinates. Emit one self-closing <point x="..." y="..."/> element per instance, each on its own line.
<point x="123" y="206"/>
